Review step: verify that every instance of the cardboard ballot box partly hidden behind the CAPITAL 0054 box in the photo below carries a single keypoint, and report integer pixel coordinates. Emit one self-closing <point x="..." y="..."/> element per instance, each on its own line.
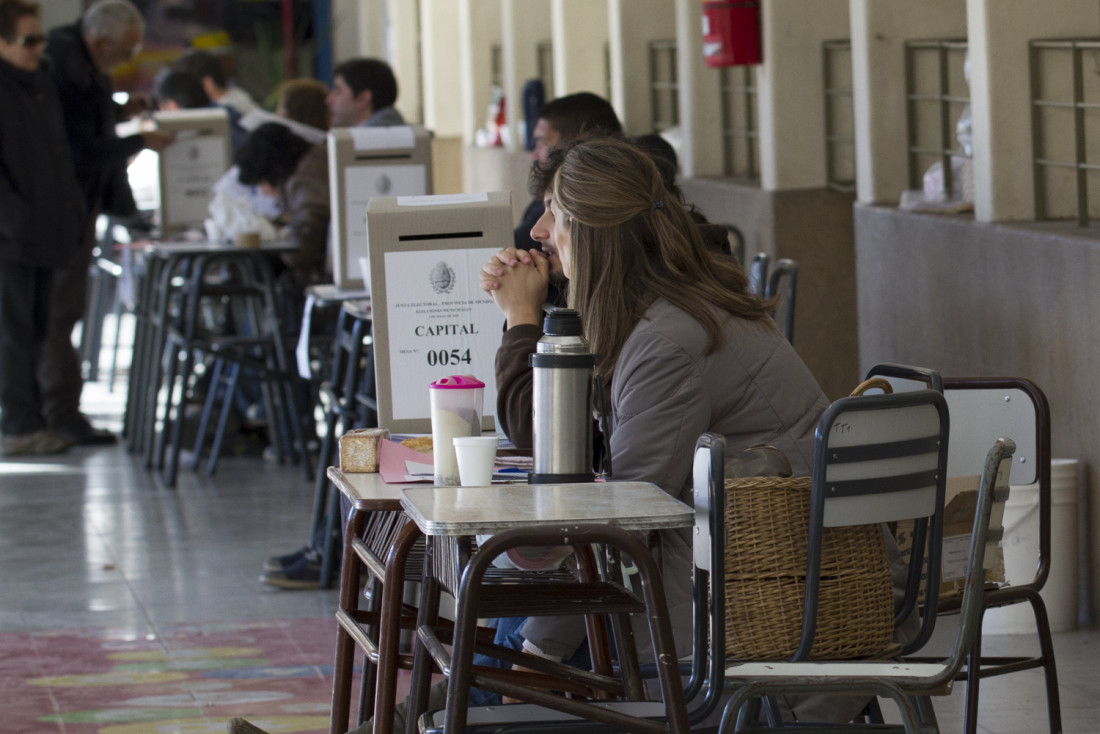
<point x="366" y="163"/>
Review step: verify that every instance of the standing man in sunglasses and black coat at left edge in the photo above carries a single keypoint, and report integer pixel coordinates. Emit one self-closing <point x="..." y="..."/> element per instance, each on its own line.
<point x="41" y="218"/>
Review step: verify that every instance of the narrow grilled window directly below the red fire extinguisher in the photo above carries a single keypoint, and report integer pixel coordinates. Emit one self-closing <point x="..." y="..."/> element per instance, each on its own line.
<point x="741" y="141"/>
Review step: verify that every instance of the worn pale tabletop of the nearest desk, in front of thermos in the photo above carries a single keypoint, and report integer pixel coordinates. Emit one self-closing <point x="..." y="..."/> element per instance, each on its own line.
<point x="487" y="510"/>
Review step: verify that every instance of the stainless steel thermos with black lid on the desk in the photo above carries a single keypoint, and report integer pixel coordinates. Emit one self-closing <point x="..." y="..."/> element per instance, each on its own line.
<point x="563" y="432"/>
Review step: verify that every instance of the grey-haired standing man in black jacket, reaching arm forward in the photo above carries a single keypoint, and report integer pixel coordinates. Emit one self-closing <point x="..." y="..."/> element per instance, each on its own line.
<point x="82" y="56"/>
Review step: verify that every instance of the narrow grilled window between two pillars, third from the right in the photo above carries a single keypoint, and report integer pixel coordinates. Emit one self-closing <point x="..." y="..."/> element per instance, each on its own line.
<point x="840" y="117"/>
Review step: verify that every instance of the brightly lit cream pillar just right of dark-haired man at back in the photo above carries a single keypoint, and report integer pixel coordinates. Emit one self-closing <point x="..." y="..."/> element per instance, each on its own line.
<point x="442" y="50"/>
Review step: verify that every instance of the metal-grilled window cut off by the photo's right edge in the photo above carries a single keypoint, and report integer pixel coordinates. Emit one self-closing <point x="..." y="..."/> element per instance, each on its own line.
<point x="1065" y="93"/>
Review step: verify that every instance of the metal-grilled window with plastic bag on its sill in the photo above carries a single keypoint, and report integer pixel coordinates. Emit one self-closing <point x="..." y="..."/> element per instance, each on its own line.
<point x="937" y="94"/>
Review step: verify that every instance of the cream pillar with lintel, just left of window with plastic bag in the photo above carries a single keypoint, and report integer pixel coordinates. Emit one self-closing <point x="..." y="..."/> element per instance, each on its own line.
<point x="879" y="32"/>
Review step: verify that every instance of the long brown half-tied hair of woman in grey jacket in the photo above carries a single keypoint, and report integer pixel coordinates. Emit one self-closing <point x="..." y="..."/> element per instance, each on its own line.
<point x="633" y="243"/>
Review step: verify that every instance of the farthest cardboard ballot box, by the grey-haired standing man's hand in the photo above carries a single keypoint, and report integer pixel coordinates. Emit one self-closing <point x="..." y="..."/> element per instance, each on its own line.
<point x="189" y="169"/>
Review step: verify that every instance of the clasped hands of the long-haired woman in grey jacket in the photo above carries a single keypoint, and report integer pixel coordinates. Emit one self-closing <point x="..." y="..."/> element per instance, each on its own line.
<point x="516" y="281"/>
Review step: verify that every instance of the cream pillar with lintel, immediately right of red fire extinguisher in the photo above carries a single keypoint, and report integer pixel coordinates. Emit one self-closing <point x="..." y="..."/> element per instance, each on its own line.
<point x="790" y="90"/>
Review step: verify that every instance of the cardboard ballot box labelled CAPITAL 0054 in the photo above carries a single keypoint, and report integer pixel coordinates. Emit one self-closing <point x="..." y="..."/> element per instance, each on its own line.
<point x="431" y="317"/>
